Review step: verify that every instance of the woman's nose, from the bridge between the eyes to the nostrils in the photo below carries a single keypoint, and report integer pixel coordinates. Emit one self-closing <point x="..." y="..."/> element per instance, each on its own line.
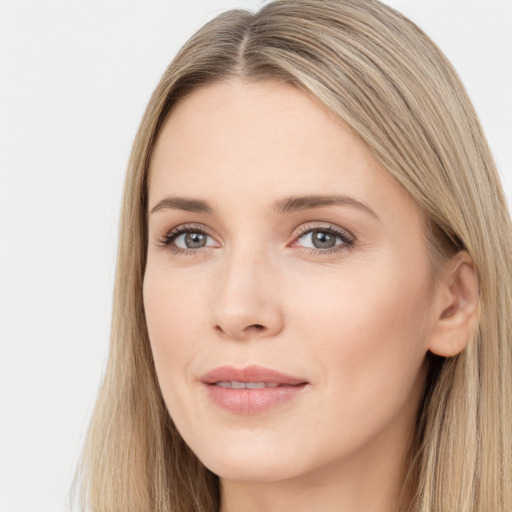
<point x="247" y="300"/>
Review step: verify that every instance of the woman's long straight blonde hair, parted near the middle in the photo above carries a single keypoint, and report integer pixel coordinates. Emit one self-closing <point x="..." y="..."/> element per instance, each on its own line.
<point x="382" y="76"/>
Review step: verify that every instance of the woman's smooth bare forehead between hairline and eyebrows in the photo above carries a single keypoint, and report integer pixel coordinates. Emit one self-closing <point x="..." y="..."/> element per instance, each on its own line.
<point x="243" y="143"/>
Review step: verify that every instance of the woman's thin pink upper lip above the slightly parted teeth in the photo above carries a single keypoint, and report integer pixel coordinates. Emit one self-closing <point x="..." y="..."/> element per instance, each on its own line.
<point x="249" y="374"/>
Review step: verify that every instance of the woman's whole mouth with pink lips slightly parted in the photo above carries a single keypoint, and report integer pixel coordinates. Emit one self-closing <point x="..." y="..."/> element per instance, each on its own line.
<point x="250" y="390"/>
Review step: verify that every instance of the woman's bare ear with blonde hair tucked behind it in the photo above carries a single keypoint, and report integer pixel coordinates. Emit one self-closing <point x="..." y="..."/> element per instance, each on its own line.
<point x="456" y="306"/>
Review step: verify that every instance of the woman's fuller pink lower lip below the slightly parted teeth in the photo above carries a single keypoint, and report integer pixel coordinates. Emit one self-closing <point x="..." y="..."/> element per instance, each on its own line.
<point x="252" y="401"/>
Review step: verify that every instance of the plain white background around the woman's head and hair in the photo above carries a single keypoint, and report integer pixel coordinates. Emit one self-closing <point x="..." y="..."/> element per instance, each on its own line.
<point x="75" y="77"/>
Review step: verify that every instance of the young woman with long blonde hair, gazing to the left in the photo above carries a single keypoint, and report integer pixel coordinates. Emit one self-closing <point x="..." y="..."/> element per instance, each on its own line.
<point x="312" y="305"/>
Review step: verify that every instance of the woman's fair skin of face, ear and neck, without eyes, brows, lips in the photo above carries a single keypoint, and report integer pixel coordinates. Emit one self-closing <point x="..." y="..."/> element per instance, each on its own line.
<point x="356" y="323"/>
